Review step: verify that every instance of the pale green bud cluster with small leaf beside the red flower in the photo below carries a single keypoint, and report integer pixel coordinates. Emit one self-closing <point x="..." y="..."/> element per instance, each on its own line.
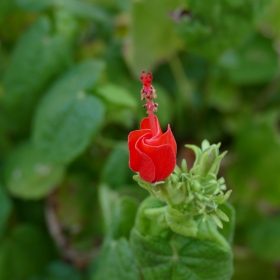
<point x="191" y="195"/>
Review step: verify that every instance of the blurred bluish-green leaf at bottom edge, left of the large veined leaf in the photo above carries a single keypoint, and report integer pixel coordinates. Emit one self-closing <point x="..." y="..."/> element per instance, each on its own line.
<point x="116" y="262"/>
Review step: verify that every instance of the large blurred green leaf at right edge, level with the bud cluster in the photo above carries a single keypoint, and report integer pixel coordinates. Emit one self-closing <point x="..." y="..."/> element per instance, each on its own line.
<point x="257" y="147"/>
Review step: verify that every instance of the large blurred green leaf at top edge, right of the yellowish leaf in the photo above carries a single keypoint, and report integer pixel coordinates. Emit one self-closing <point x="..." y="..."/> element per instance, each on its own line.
<point x="209" y="30"/>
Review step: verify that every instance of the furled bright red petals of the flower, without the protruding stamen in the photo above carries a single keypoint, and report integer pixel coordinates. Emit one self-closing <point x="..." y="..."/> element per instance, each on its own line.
<point x="153" y="155"/>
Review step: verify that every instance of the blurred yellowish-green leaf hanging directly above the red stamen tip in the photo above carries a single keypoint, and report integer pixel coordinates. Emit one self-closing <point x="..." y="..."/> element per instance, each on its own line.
<point x="151" y="17"/>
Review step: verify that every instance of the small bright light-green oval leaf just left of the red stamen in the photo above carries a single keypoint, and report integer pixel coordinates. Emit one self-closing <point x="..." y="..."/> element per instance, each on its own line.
<point x="116" y="95"/>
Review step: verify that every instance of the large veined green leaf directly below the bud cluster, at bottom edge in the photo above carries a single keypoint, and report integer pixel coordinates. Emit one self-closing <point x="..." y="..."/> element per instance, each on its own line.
<point x="161" y="253"/>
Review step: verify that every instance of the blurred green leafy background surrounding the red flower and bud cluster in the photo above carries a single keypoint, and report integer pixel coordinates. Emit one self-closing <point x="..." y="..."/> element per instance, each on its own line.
<point x="70" y="94"/>
